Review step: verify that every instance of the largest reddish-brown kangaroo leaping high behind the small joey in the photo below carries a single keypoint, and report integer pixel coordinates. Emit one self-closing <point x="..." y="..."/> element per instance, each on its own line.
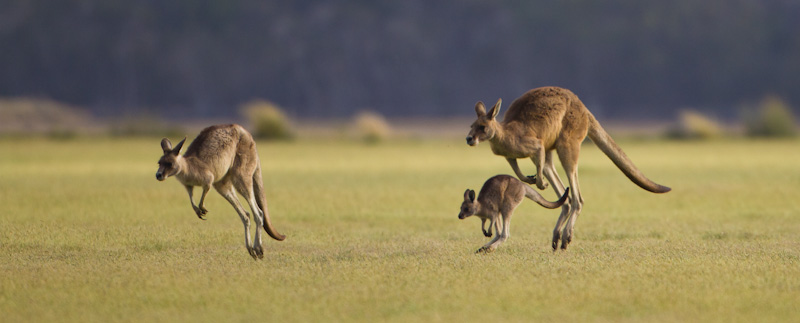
<point x="543" y="120"/>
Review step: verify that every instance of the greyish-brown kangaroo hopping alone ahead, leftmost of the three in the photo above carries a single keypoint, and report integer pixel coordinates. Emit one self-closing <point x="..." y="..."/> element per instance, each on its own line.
<point x="223" y="156"/>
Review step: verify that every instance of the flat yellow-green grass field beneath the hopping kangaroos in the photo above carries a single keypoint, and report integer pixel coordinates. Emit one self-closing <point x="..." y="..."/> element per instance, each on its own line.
<point x="88" y="234"/>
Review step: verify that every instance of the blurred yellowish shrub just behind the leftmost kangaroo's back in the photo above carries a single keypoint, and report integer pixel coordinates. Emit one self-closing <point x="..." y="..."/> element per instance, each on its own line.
<point x="267" y="121"/>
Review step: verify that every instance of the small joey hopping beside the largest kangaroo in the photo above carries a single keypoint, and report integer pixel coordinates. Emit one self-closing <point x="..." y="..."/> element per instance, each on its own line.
<point x="500" y="195"/>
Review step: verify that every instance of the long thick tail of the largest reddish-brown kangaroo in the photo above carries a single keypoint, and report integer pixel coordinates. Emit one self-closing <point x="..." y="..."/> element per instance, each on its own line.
<point x="603" y="141"/>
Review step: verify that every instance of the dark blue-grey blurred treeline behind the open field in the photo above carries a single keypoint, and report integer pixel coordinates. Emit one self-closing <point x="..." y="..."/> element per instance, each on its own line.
<point x="624" y="58"/>
